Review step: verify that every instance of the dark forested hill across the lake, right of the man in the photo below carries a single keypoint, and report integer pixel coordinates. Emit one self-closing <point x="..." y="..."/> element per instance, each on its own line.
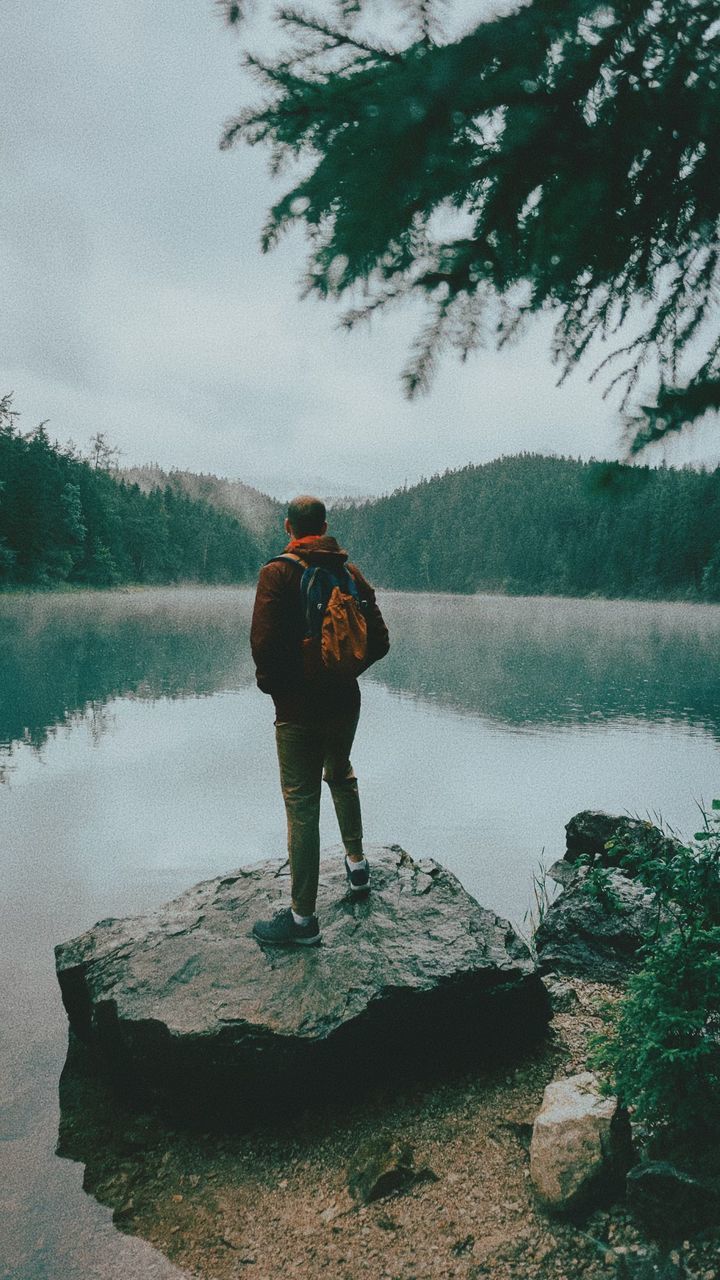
<point x="545" y="525"/>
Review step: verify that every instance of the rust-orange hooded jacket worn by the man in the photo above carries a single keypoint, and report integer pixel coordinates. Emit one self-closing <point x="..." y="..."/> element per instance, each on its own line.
<point x="279" y="629"/>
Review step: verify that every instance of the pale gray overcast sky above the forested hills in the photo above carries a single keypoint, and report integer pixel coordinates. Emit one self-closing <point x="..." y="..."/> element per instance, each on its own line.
<point x="136" y="300"/>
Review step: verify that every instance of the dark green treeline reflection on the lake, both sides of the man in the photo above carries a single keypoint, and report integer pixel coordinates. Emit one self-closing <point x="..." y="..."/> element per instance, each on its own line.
<point x="520" y="661"/>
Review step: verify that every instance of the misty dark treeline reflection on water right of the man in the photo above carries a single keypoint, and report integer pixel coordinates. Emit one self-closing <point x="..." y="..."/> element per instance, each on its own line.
<point x="534" y="661"/>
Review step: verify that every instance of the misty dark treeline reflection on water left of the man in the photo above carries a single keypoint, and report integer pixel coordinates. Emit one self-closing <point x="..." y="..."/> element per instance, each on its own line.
<point x="63" y="656"/>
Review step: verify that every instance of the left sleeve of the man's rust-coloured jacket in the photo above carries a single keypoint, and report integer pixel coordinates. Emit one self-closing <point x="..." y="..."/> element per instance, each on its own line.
<point x="277" y="666"/>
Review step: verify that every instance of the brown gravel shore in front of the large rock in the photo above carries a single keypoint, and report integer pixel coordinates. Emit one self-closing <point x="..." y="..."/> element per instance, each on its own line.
<point x="271" y="1205"/>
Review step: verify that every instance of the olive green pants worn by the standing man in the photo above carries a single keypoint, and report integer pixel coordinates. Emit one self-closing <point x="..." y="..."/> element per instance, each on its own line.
<point x="307" y="755"/>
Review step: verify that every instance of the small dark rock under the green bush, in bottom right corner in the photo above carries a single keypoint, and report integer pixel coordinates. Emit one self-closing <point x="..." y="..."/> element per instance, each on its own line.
<point x="668" y="1201"/>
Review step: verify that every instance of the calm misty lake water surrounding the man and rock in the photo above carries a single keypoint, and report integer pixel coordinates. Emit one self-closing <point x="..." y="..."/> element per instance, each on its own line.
<point x="138" y="757"/>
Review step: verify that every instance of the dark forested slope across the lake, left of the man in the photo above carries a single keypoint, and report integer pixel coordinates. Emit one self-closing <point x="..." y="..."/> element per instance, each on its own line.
<point x="63" y="520"/>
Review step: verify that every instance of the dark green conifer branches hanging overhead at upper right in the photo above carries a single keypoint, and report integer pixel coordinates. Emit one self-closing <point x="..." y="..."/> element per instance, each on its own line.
<point x="577" y="144"/>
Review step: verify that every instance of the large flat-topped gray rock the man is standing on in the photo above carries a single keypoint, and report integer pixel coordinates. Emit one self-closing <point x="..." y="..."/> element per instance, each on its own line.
<point x="185" y="1005"/>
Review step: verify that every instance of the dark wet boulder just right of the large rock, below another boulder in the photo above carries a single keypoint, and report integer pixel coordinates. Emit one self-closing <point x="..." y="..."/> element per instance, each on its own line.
<point x="596" y="935"/>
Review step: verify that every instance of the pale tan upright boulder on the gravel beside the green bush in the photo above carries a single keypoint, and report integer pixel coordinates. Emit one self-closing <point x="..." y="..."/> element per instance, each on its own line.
<point x="581" y="1148"/>
